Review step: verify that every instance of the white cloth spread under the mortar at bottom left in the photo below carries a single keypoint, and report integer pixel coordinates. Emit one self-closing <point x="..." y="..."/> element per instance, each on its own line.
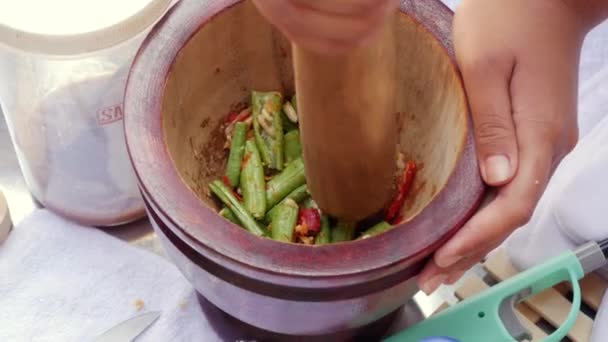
<point x="63" y="282"/>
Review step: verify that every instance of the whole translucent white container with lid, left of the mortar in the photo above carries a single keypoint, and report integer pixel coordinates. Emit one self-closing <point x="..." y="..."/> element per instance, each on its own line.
<point x="63" y="70"/>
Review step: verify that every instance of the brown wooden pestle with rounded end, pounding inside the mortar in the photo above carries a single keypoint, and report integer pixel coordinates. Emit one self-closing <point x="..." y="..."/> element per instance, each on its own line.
<point x="348" y="125"/>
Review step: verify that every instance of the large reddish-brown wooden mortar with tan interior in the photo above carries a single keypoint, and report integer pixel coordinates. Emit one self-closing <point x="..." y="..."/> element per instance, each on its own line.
<point x="205" y="57"/>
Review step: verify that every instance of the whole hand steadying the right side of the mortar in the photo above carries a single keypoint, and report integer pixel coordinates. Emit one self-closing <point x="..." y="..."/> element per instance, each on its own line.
<point x="519" y="60"/>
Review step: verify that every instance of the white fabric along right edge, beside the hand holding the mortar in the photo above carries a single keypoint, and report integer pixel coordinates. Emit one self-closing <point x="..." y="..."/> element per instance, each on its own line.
<point x="574" y="208"/>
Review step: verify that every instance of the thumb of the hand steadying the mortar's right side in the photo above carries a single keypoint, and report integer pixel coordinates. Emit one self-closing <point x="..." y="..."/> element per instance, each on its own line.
<point x="487" y="86"/>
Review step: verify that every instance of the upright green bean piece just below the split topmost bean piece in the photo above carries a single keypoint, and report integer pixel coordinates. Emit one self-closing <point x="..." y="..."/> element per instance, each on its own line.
<point x="253" y="183"/>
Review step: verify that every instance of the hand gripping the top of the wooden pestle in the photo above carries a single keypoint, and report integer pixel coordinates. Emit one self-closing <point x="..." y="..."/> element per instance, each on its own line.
<point x="327" y="26"/>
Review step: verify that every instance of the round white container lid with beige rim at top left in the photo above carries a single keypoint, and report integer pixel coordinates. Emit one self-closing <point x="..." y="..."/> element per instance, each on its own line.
<point x="64" y="27"/>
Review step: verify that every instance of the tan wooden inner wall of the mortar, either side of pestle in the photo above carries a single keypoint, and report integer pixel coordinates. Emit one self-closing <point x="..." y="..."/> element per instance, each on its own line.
<point x="238" y="51"/>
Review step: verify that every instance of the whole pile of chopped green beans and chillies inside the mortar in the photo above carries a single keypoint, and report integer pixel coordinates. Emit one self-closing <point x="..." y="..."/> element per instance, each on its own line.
<point x="266" y="164"/>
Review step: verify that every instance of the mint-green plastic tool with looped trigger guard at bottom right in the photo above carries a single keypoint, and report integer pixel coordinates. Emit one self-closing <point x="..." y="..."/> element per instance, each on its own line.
<point x="490" y="316"/>
